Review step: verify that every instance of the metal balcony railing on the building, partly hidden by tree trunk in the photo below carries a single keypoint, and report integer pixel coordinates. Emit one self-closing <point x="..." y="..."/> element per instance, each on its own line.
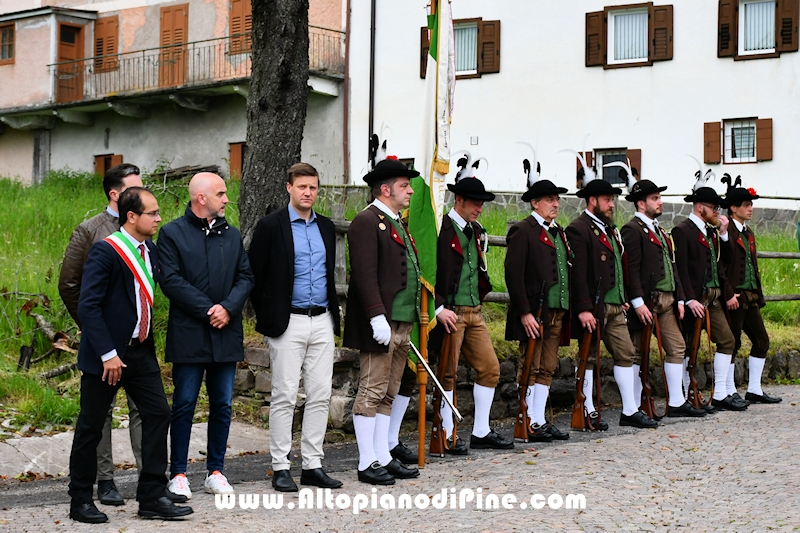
<point x="193" y="64"/>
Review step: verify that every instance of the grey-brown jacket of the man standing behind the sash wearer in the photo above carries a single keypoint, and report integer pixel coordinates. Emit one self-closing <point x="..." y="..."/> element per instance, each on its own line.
<point x="85" y="235"/>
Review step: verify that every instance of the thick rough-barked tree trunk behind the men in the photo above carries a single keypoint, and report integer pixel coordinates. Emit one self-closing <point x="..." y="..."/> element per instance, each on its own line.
<point x="276" y="107"/>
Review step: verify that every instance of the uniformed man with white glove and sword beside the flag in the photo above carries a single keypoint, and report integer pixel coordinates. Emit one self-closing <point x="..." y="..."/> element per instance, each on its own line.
<point x="383" y="303"/>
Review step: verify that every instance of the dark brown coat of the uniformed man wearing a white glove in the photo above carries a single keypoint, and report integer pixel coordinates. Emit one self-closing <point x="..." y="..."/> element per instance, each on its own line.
<point x="378" y="271"/>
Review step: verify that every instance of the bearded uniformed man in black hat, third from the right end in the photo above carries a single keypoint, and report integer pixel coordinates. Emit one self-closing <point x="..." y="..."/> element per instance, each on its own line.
<point x="651" y="270"/>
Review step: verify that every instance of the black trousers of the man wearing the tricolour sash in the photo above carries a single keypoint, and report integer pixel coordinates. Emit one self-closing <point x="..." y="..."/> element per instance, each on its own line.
<point x="141" y="379"/>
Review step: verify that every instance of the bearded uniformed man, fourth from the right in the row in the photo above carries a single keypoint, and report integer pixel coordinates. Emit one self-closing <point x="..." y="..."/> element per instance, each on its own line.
<point x="600" y="256"/>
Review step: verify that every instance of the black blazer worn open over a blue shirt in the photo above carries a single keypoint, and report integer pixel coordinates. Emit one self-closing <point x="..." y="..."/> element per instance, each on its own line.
<point x="272" y="261"/>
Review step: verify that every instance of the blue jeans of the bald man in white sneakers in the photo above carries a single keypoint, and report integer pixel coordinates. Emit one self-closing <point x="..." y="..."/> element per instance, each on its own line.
<point x="187" y="378"/>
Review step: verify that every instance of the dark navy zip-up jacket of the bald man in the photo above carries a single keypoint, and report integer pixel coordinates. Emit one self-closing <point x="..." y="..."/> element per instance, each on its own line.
<point x="201" y="267"/>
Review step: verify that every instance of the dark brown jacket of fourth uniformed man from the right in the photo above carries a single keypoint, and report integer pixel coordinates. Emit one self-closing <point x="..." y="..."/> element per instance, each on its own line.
<point x="593" y="260"/>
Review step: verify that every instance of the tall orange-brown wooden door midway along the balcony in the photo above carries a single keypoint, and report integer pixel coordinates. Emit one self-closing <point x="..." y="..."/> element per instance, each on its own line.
<point x="174" y="30"/>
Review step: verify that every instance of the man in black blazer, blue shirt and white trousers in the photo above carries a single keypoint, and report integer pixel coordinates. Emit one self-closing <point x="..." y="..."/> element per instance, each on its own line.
<point x="297" y="311"/>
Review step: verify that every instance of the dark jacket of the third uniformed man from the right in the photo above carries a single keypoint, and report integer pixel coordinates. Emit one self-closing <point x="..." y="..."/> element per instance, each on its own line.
<point x="645" y="257"/>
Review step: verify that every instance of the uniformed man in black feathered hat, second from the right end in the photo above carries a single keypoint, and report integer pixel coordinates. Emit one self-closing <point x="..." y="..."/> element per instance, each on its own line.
<point x="703" y="248"/>
